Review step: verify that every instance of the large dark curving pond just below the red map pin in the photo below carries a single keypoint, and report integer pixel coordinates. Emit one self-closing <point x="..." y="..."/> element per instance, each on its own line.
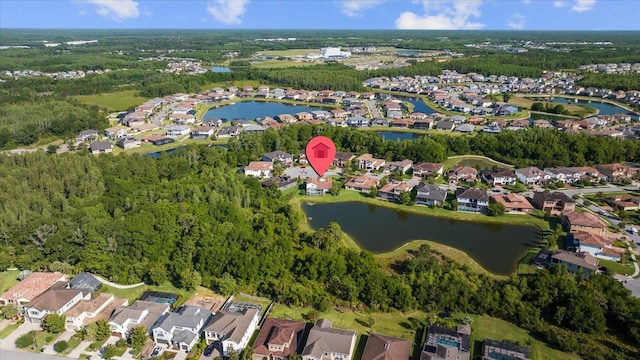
<point x="496" y="247"/>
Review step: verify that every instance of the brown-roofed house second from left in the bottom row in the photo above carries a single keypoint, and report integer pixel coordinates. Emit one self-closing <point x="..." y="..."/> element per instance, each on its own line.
<point x="56" y="300"/>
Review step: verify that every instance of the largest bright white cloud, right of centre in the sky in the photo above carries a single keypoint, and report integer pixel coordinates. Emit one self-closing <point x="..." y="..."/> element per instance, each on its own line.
<point x="443" y="15"/>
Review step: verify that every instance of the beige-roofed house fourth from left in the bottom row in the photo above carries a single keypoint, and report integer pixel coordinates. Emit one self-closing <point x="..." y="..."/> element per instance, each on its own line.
<point x="140" y="313"/>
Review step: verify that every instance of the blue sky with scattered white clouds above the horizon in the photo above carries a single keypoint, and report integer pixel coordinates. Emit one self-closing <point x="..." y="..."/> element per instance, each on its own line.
<point x="323" y="14"/>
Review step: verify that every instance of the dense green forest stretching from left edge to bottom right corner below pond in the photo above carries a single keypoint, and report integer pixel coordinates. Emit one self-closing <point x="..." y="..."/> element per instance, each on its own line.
<point x="192" y="218"/>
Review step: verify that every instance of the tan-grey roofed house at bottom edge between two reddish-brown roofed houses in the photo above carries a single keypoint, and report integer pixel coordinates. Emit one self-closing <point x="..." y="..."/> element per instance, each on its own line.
<point x="327" y="343"/>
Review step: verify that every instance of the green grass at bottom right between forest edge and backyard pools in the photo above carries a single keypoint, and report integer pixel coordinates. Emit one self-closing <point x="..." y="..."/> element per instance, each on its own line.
<point x="487" y="327"/>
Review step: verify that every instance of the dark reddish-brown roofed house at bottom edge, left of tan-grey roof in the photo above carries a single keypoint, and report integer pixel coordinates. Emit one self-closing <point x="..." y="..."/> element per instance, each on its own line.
<point x="278" y="339"/>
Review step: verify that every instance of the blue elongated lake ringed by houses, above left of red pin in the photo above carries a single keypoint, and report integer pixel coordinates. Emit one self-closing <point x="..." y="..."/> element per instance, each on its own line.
<point x="254" y="109"/>
